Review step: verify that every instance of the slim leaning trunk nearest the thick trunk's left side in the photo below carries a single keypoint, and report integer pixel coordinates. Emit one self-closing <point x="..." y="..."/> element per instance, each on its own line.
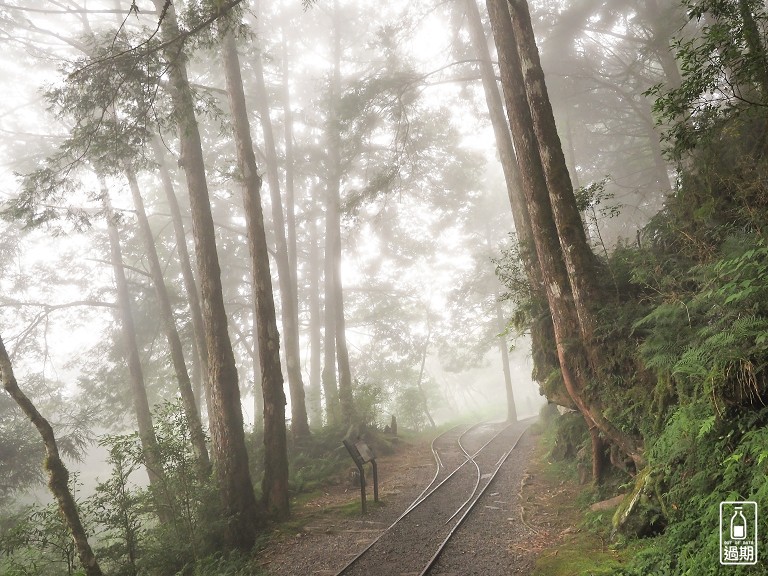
<point x="190" y="286"/>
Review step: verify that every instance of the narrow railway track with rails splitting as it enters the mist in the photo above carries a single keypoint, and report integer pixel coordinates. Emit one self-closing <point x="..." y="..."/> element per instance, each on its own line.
<point x="466" y="461"/>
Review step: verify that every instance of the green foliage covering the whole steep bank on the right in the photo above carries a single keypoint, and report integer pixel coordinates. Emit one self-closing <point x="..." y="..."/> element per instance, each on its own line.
<point x="685" y="340"/>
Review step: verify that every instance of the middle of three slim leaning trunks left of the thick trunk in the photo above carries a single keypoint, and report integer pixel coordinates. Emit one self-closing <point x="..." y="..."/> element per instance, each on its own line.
<point x="169" y="325"/>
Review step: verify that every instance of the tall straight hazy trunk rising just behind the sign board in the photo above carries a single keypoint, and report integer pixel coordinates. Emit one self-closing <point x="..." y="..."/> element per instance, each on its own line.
<point x="334" y="213"/>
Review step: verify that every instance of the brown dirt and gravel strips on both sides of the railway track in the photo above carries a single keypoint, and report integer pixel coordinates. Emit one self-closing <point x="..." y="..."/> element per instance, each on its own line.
<point x="497" y="539"/>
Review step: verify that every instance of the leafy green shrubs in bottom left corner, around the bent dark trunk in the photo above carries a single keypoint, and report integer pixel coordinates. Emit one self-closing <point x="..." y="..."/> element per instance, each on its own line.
<point x="122" y="517"/>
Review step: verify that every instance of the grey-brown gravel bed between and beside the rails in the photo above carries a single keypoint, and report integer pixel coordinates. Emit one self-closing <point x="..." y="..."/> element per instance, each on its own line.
<point x="491" y="541"/>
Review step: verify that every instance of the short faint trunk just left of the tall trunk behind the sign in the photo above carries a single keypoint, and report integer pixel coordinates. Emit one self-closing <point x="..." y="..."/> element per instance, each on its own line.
<point x="314" y="400"/>
